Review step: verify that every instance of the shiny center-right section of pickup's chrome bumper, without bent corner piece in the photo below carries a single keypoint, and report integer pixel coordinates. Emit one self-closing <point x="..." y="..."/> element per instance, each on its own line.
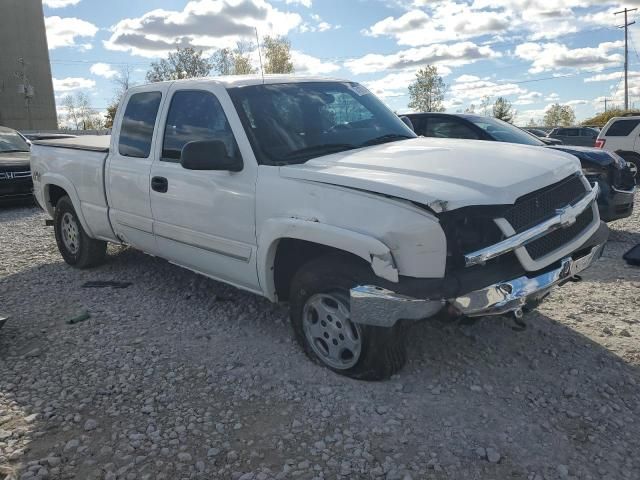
<point x="512" y="295"/>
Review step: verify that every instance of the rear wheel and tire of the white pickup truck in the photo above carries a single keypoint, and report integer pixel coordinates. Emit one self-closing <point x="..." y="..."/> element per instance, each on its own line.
<point x="76" y="247"/>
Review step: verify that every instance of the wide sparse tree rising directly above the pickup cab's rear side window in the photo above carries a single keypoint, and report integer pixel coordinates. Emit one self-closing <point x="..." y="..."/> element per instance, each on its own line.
<point x="183" y="63"/>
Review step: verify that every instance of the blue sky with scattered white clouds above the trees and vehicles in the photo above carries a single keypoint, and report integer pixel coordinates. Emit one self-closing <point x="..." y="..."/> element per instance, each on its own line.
<point x="535" y="53"/>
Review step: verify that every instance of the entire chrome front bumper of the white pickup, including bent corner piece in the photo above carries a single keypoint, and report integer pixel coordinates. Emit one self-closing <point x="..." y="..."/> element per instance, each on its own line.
<point x="383" y="308"/>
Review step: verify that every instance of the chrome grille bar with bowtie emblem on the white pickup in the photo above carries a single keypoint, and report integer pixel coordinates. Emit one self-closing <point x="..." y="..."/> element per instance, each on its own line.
<point x="564" y="218"/>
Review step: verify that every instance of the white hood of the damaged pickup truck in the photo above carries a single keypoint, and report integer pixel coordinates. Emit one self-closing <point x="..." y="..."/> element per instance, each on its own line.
<point x="443" y="174"/>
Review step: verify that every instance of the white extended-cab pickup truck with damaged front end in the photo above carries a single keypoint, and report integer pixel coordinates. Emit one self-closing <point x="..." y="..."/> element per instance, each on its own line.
<point x="311" y="191"/>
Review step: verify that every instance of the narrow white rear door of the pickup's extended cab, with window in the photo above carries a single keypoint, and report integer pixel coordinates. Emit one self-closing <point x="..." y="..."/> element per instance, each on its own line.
<point x="129" y="167"/>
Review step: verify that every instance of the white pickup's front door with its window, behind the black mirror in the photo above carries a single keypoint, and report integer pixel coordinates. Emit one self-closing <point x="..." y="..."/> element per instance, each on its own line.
<point x="205" y="220"/>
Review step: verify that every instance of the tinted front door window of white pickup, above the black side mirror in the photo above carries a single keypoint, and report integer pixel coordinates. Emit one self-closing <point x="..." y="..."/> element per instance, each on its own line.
<point x="193" y="116"/>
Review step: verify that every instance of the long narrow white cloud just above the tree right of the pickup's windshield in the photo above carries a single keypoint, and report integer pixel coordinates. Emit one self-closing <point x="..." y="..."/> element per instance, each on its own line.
<point x="453" y="55"/>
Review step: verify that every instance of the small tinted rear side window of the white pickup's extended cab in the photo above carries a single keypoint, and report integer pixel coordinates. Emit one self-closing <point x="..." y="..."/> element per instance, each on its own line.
<point x="138" y="124"/>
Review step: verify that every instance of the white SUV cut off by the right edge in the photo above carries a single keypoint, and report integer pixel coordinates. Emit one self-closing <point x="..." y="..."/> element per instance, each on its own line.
<point x="621" y="135"/>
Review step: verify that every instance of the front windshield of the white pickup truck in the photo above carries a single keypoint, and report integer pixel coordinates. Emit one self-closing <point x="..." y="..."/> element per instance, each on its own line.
<point x="295" y="122"/>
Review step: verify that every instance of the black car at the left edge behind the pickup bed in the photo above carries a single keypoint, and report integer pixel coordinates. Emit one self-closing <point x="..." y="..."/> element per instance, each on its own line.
<point x="16" y="184"/>
